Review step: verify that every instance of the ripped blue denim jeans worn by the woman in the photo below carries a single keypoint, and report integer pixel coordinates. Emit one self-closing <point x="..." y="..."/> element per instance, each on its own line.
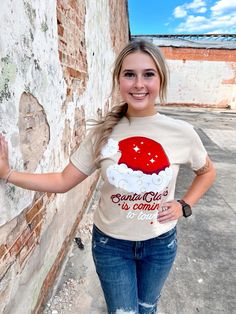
<point x="132" y="273"/>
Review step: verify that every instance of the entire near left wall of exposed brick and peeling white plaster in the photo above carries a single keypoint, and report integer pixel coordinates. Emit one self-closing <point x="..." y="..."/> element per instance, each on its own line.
<point x="57" y="73"/>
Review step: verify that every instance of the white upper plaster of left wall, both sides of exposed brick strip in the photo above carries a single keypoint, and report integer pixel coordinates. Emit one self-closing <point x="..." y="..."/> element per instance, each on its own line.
<point x="30" y="62"/>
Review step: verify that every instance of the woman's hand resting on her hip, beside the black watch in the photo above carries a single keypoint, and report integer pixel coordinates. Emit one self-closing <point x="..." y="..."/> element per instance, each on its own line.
<point x="170" y="211"/>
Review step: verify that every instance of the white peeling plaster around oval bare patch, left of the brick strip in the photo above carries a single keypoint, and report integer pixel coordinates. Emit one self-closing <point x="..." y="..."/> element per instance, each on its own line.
<point x="31" y="52"/>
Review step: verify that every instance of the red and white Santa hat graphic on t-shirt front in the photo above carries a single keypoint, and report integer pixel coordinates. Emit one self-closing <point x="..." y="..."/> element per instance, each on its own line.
<point x="142" y="167"/>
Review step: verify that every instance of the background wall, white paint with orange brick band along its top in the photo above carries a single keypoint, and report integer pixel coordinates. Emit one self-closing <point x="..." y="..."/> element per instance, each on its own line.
<point x="201" y="77"/>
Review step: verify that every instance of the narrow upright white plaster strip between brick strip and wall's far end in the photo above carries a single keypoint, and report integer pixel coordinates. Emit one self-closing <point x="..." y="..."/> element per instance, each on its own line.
<point x="100" y="55"/>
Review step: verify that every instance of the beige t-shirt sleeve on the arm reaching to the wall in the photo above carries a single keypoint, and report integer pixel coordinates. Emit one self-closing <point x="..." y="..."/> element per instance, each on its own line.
<point x="83" y="157"/>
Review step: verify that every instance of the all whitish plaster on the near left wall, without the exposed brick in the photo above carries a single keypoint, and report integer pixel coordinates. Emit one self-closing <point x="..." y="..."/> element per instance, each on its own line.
<point x="38" y="72"/>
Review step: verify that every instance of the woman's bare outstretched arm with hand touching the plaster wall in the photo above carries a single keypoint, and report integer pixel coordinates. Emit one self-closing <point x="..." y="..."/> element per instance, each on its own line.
<point x="57" y="182"/>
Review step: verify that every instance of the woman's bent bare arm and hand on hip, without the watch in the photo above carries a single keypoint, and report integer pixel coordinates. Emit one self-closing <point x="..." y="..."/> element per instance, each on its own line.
<point x="202" y="181"/>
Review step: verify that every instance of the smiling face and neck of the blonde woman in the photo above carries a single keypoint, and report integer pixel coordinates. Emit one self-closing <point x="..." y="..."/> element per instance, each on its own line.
<point x="139" y="84"/>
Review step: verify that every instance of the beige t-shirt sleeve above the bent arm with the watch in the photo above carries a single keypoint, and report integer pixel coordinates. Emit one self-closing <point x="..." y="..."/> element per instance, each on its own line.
<point x="197" y="153"/>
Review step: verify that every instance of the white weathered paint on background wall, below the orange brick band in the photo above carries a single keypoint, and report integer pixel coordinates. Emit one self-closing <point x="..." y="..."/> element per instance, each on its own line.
<point x="202" y="83"/>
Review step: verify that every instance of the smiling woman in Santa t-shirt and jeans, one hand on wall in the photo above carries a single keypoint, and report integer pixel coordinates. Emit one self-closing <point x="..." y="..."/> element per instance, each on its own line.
<point x="139" y="152"/>
